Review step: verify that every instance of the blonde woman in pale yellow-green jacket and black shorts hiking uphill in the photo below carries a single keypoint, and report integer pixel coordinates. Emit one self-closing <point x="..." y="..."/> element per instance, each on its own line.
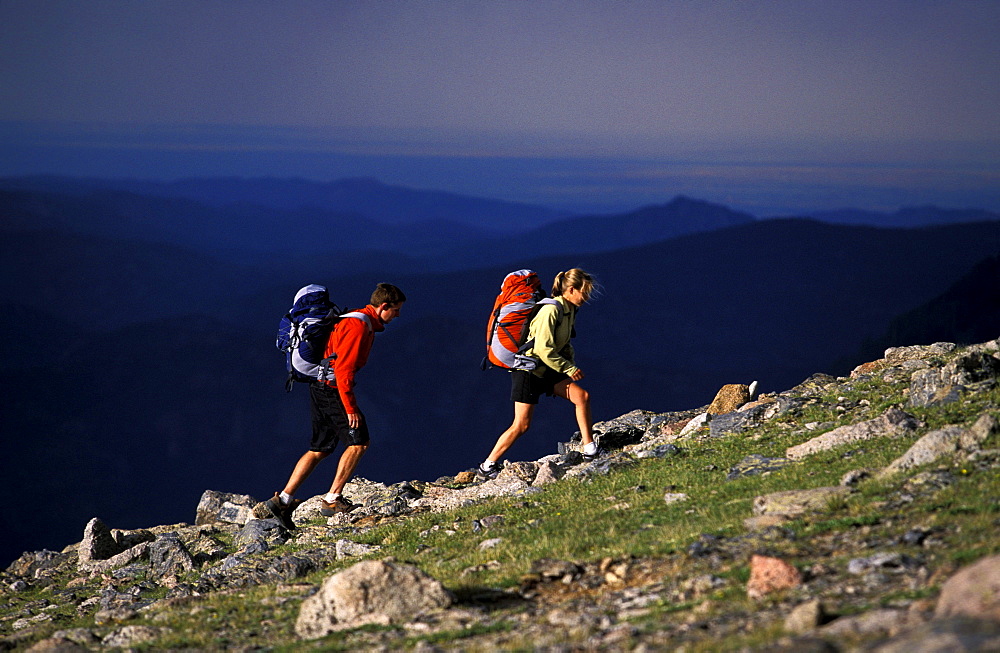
<point x="556" y="373"/>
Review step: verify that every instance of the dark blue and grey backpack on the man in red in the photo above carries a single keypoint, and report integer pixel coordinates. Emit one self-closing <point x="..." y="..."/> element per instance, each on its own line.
<point x="303" y="334"/>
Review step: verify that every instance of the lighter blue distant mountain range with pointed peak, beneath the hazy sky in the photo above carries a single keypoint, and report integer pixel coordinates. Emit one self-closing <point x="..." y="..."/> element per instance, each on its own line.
<point x="284" y="237"/>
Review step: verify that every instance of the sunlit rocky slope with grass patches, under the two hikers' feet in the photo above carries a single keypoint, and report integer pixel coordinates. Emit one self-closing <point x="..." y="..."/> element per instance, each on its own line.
<point x="788" y="579"/>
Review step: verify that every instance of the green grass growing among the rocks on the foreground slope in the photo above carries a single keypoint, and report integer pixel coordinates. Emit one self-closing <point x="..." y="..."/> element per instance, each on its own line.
<point x="623" y="516"/>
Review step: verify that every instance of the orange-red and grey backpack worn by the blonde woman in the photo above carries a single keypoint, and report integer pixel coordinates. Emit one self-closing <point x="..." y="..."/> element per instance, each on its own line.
<point x="520" y="296"/>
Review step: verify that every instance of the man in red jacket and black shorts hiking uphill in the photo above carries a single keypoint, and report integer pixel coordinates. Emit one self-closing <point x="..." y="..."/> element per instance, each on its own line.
<point x="334" y="407"/>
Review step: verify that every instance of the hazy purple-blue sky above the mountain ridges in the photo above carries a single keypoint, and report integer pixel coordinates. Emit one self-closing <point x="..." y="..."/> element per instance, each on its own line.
<point x="763" y="105"/>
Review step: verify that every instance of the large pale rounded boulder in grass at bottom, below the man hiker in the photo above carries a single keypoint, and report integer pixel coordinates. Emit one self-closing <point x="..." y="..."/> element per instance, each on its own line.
<point x="370" y="592"/>
